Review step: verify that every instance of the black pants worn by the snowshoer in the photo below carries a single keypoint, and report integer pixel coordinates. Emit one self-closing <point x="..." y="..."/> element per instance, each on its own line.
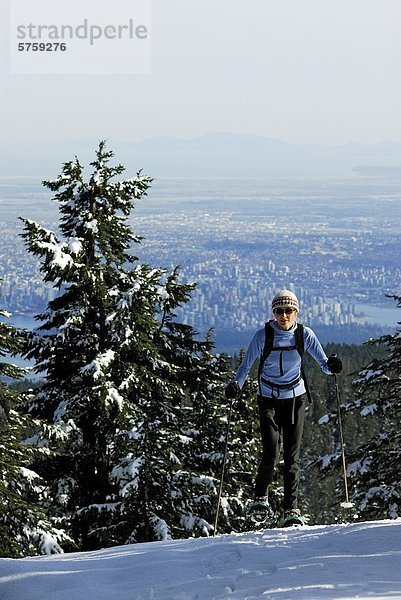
<point x="281" y="421"/>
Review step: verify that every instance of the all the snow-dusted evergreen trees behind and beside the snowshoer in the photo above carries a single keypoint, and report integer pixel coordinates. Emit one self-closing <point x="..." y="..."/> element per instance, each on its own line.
<point x="123" y="439"/>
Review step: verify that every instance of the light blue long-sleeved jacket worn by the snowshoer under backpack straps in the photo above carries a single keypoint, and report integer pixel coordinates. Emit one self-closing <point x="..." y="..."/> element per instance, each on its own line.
<point x="290" y="369"/>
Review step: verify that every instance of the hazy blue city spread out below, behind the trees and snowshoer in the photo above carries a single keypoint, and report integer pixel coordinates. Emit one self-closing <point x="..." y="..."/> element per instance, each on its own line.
<point x="338" y="251"/>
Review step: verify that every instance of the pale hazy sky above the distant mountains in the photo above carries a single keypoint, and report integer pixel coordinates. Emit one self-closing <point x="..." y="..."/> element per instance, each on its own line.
<point x="326" y="71"/>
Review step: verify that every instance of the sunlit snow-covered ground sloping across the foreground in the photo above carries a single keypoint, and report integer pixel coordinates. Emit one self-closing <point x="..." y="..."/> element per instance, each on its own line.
<point x="359" y="560"/>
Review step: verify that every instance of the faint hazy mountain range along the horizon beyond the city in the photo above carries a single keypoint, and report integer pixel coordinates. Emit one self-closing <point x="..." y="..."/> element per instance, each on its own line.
<point x="210" y="155"/>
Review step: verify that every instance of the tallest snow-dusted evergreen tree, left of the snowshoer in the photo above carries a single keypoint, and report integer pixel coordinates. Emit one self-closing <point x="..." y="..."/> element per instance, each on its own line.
<point x="118" y="368"/>
